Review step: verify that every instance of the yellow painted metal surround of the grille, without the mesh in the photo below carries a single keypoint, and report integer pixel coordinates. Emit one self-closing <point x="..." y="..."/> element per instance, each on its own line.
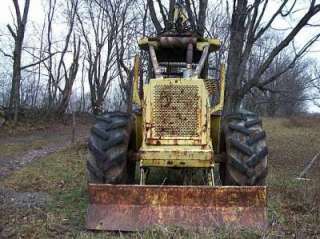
<point x="176" y="151"/>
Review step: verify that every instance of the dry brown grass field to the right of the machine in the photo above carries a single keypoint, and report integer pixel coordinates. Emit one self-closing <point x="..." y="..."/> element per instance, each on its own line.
<point x="294" y="205"/>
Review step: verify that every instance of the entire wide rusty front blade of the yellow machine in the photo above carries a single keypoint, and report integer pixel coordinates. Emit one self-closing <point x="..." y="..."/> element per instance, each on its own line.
<point x="135" y="207"/>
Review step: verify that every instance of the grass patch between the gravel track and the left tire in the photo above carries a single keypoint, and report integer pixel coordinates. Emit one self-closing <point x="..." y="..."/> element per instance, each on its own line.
<point x="62" y="176"/>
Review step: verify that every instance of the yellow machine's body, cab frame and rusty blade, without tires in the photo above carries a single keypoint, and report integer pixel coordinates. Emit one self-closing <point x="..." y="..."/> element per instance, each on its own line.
<point x="176" y="126"/>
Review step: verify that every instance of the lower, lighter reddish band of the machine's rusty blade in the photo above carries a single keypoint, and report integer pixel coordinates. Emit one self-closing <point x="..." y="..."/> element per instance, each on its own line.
<point x="136" y="218"/>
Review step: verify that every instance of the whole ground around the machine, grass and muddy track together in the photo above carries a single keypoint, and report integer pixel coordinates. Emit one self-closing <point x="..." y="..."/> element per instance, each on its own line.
<point x="45" y="196"/>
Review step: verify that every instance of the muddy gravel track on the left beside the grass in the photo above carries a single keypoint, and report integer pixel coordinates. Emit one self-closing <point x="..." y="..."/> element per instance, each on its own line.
<point x="18" y="151"/>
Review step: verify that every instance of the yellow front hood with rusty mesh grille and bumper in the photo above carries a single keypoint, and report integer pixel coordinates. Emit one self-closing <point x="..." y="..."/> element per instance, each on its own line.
<point x="176" y="124"/>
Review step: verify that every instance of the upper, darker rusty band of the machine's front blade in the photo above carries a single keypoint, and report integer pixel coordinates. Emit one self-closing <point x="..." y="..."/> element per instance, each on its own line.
<point x="202" y="196"/>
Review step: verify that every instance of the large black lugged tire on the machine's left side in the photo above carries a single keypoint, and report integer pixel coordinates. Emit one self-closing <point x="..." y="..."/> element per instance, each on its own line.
<point x="108" y="149"/>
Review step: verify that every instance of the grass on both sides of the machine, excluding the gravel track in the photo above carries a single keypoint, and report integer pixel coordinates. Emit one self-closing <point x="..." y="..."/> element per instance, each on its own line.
<point x="293" y="206"/>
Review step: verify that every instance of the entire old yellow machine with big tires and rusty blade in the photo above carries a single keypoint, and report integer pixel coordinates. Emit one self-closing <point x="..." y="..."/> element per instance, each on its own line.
<point x="177" y="123"/>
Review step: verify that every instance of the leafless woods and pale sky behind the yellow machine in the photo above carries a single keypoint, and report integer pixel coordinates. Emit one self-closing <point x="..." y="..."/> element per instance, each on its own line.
<point x="80" y="56"/>
